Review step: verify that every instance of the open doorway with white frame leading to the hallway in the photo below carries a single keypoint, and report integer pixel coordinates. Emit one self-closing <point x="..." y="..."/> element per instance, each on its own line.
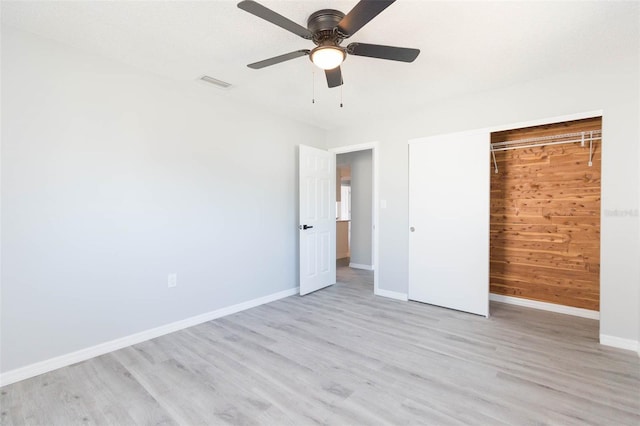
<point x="356" y="213"/>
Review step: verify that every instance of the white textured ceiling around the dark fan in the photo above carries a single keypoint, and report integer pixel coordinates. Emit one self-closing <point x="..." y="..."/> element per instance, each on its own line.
<point x="465" y="47"/>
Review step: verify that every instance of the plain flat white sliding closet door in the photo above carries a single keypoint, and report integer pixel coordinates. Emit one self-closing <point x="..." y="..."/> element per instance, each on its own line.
<point x="449" y="221"/>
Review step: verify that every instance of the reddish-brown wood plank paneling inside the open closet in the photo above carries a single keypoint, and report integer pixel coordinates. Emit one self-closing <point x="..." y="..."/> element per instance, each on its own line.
<point x="545" y="219"/>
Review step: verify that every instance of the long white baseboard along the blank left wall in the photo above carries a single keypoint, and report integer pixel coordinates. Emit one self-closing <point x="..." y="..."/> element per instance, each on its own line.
<point x="45" y="366"/>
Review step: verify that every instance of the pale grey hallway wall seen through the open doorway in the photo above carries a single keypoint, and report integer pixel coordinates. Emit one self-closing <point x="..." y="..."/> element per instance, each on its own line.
<point x="361" y="163"/>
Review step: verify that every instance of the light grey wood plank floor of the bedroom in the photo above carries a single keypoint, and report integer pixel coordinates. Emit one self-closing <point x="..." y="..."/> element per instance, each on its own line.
<point x="343" y="356"/>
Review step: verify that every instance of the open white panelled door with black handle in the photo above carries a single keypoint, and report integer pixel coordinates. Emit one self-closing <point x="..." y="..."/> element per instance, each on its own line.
<point x="317" y="225"/>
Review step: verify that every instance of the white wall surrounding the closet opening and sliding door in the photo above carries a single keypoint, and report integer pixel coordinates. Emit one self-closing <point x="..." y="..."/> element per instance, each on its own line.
<point x="611" y="84"/>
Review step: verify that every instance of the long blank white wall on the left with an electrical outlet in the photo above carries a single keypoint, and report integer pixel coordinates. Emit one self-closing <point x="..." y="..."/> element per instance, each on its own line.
<point x="112" y="179"/>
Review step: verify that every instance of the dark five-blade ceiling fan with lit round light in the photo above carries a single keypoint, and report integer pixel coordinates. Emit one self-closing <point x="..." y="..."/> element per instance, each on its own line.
<point x="327" y="28"/>
